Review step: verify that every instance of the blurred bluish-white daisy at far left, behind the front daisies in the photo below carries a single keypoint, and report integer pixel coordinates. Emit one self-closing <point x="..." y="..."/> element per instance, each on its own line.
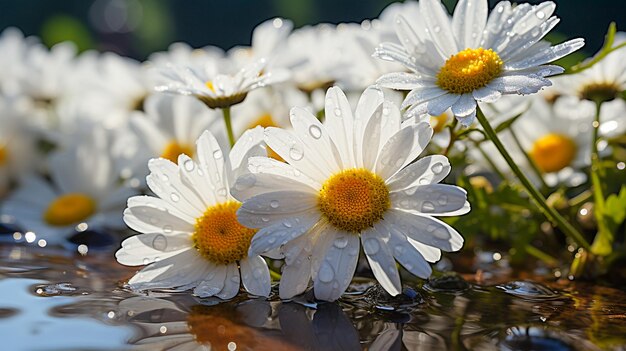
<point x="84" y="191"/>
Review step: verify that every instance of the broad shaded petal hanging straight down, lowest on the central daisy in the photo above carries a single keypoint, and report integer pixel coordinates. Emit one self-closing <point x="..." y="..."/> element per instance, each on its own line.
<point x="336" y="266"/>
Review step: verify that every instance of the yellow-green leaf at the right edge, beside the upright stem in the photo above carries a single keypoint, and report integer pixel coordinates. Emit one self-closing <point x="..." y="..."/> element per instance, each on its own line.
<point x="612" y="215"/>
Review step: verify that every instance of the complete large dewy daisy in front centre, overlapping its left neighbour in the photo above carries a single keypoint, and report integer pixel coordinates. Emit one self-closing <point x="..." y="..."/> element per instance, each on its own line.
<point x="347" y="181"/>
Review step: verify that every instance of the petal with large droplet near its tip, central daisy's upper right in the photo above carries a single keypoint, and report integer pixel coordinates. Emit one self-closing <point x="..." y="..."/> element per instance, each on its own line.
<point x="428" y="170"/>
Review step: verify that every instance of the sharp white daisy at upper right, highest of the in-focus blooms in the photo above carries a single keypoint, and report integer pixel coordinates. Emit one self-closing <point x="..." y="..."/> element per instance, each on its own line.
<point x="455" y="62"/>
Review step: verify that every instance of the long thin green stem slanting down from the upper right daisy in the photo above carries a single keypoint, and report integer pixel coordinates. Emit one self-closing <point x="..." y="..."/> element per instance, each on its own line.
<point x="548" y="211"/>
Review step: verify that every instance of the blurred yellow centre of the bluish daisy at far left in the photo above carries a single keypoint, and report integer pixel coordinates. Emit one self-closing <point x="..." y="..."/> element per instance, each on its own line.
<point x="69" y="209"/>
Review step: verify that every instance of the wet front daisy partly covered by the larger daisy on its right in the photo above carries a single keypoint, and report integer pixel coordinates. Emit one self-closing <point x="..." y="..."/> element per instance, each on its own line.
<point x="190" y="236"/>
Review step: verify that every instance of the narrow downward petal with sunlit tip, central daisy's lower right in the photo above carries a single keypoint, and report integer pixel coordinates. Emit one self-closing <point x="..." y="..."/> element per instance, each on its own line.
<point x="381" y="259"/>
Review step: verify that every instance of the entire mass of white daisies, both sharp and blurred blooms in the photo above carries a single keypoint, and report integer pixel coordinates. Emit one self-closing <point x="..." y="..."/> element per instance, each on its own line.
<point x="302" y="147"/>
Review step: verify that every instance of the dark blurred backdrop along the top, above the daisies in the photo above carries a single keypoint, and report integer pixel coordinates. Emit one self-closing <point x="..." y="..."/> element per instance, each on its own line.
<point x="136" y="28"/>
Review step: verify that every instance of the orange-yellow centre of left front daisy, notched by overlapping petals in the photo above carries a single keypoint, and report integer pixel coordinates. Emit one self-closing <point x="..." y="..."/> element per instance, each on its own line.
<point x="219" y="237"/>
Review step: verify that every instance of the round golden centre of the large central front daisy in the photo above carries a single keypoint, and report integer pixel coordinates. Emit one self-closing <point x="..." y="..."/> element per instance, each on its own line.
<point x="354" y="199"/>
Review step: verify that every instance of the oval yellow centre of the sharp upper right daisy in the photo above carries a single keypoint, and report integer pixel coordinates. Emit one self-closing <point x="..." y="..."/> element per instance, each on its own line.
<point x="469" y="70"/>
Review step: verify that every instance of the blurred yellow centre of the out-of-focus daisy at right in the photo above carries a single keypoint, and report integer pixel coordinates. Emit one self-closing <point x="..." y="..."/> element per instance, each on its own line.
<point x="553" y="152"/>
